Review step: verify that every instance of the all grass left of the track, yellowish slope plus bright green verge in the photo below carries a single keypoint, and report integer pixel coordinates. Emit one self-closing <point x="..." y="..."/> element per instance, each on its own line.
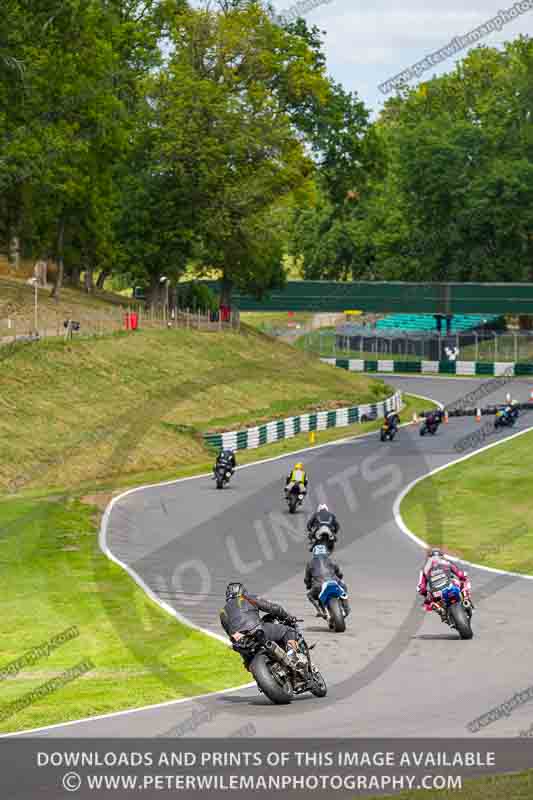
<point x="91" y="416"/>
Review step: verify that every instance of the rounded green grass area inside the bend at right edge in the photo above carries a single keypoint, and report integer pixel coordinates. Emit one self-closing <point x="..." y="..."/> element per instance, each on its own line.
<point x="484" y="507"/>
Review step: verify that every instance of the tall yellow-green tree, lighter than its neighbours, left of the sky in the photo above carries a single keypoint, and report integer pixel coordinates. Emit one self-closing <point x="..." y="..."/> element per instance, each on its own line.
<point x="226" y="141"/>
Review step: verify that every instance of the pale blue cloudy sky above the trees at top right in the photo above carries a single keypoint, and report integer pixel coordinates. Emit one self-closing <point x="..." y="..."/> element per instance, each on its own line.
<point x="368" y="43"/>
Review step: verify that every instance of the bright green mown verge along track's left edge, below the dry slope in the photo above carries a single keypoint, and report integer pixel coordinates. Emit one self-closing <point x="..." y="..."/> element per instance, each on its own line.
<point x="54" y="576"/>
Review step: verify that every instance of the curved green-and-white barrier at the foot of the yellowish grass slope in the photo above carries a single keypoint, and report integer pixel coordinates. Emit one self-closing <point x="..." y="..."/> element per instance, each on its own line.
<point x="287" y="428"/>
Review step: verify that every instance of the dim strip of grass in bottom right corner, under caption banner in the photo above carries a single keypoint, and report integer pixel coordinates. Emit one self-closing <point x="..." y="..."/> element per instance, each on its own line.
<point x="496" y="787"/>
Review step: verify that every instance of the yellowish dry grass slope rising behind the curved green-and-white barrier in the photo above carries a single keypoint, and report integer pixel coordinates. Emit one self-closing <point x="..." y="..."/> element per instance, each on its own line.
<point x="94" y="409"/>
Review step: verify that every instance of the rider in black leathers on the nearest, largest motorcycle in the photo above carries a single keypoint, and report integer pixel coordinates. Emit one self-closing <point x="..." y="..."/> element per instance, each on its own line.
<point x="240" y="615"/>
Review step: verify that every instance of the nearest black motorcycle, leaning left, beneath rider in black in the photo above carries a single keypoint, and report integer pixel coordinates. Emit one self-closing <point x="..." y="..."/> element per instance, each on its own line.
<point x="274" y="671"/>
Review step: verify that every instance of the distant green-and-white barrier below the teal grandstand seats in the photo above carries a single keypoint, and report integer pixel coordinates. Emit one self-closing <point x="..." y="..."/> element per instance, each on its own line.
<point x="472" y="368"/>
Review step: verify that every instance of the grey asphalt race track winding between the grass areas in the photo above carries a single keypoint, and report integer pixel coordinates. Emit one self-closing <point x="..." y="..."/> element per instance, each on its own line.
<point x="396" y="671"/>
